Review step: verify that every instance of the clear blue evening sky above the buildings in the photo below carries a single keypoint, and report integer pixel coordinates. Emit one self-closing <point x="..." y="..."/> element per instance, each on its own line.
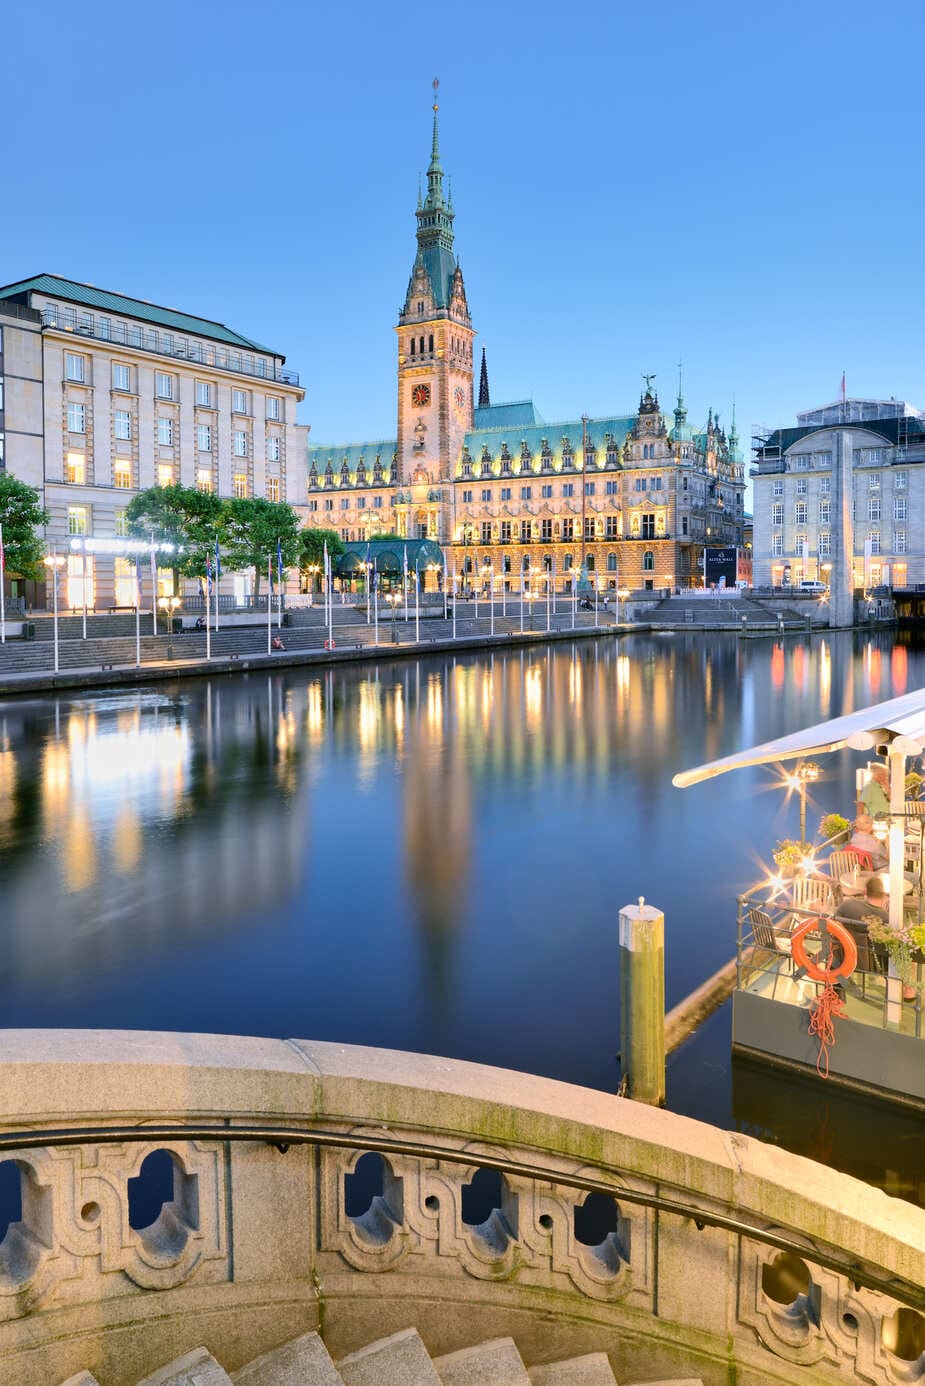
<point x="734" y="185"/>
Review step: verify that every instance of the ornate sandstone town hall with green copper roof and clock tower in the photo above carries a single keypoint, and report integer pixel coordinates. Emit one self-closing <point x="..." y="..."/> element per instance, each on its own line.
<point x="630" y="500"/>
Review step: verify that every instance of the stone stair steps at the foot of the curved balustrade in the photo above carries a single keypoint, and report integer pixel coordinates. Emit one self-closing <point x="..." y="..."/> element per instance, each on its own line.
<point x="400" y="1360"/>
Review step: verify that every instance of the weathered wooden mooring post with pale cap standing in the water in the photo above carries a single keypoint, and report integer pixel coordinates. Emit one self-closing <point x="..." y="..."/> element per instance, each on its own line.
<point x="643" y="1003"/>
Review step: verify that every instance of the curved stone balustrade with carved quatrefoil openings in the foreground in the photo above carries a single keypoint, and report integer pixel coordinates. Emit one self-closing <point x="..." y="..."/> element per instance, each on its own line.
<point x="353" y="1208"/>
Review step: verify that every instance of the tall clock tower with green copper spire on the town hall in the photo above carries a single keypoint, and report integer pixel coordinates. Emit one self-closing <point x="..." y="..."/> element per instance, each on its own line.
<point x="435" y="367"/>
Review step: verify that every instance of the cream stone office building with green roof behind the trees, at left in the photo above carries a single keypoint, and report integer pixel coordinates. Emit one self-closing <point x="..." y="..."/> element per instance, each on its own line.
<point x="107" y="396"/>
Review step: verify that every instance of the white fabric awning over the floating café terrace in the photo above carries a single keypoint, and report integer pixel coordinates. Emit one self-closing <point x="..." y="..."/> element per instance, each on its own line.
<point x="862" y="731"/>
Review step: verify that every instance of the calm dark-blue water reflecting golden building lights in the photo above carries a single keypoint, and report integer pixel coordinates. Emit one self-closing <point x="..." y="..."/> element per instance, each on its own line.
<point x="426" y="856"/>
